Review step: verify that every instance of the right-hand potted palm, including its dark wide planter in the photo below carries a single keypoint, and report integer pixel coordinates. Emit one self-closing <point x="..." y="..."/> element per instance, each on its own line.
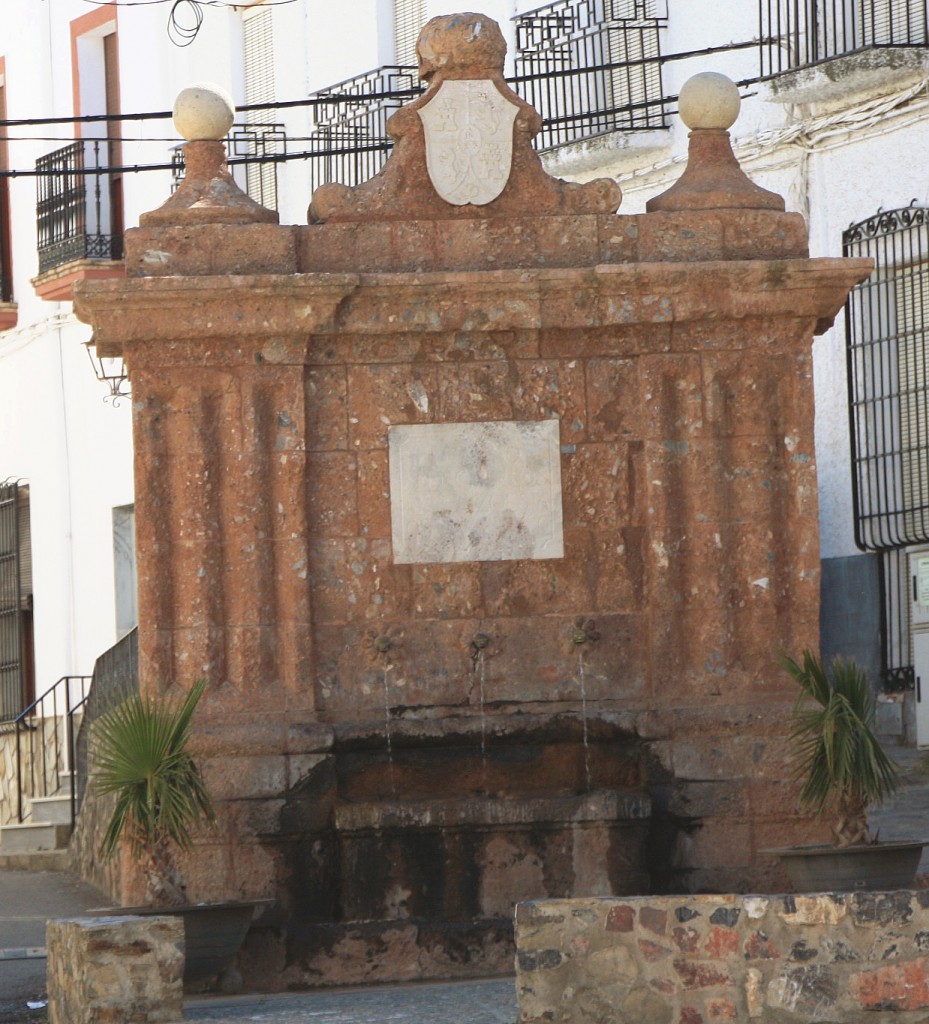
<point x="843" y="769"/>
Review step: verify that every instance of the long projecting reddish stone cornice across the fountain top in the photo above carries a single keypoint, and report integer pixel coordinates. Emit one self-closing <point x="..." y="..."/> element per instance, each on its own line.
<point x="204" y="309"/>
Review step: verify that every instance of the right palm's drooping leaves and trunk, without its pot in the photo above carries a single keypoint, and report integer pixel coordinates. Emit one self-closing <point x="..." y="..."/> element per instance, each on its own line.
<point x="839" y="757"/>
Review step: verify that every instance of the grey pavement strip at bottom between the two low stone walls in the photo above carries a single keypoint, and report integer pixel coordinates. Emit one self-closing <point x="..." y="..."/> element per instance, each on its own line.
<point x="435" y="1003"/>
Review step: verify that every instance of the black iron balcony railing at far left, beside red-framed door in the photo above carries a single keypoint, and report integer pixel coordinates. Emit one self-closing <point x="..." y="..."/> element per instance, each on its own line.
<point x="74" y="215"/>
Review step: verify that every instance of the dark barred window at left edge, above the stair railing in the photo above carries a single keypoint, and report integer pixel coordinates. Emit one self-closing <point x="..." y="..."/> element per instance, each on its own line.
<point x="16" y="601"/>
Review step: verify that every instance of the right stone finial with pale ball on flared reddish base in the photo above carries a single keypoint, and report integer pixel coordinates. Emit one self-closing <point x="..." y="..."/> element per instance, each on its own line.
<point x="712" y="181"/>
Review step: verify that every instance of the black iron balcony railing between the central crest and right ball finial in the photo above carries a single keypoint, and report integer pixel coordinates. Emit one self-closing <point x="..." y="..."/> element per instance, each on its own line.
<point x="592" y="67"/>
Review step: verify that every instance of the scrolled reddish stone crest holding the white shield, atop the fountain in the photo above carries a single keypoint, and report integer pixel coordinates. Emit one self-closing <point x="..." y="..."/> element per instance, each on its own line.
<point x="464" y="149"/>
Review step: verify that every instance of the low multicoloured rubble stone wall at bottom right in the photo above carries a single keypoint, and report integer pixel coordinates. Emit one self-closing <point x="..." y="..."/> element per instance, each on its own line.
<point x="854" y="958"/>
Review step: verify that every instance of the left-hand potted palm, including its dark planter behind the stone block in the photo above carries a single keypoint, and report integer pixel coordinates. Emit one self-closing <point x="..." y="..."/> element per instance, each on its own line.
<point x="140" y="755"/>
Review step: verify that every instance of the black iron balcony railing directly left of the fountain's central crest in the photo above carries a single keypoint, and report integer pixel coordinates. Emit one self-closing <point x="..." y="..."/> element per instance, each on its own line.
<point x="351" y="144"/>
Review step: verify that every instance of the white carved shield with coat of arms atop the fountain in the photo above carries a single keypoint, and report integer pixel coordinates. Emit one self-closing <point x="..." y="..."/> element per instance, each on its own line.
<point x="469" y="127"/>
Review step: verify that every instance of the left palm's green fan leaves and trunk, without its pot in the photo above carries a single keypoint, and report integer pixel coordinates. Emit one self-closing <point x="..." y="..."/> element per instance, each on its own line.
<point x="140" y="754"/>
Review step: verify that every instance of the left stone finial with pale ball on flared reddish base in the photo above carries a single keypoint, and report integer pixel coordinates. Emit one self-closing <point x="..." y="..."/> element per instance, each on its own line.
<point x="203" y="115"/>
